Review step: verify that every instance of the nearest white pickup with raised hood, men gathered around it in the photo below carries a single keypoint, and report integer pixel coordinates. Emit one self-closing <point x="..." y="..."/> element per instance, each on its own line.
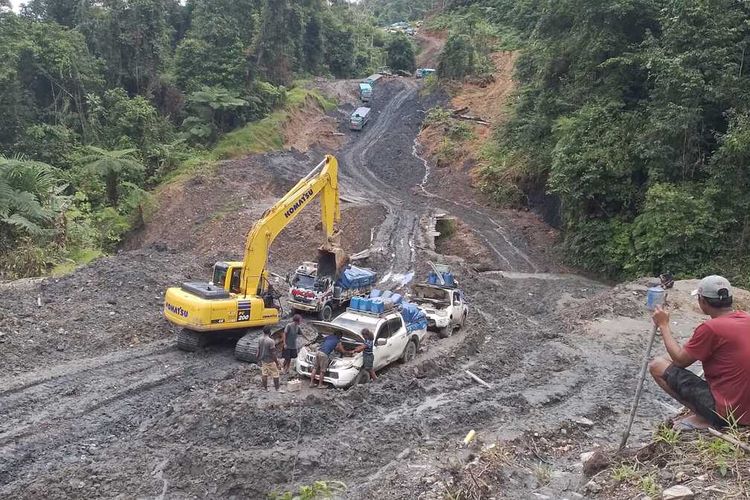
<point x="395" y="339"/>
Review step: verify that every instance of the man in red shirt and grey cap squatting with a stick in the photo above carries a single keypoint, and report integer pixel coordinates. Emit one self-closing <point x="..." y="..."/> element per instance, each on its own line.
<point x="722" y="344"/>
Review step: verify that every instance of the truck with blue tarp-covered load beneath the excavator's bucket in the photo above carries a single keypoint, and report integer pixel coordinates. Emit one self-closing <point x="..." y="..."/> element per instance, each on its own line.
<point x="322" y="288"/>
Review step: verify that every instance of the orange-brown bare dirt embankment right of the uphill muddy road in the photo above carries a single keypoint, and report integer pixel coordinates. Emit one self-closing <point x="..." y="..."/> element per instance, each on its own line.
<point x="455" y="148"/>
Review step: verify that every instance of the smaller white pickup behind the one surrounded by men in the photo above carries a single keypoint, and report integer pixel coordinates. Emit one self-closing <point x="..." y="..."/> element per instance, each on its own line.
<point x="444" y="305"/>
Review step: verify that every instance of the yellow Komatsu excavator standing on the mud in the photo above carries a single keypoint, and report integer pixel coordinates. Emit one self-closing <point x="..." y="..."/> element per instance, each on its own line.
<point x="240" y="298"/>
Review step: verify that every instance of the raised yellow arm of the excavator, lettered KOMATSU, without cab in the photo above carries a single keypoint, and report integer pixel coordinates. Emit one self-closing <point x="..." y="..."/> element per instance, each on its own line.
<point x="323" y="181"/>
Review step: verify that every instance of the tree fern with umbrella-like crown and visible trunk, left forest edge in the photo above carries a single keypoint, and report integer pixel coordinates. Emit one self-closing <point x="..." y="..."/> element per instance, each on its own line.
<point x="113" y="167"/>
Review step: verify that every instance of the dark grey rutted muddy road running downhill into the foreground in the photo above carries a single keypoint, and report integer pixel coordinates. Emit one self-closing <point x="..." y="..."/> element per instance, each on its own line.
<point x="114" y="410"/>
